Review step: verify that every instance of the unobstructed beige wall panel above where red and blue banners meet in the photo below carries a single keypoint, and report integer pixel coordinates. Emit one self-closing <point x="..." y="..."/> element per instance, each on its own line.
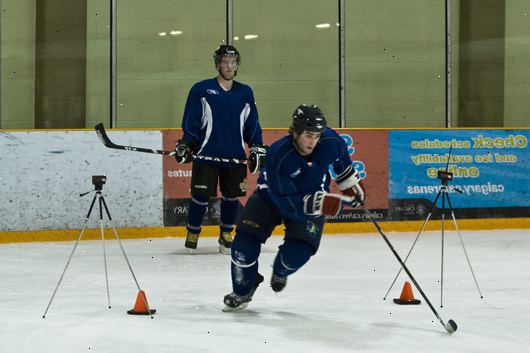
<point x="395" y="64"/>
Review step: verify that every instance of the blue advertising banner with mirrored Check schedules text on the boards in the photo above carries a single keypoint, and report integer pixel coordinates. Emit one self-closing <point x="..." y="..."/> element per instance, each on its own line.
<point x="489" y="167"/>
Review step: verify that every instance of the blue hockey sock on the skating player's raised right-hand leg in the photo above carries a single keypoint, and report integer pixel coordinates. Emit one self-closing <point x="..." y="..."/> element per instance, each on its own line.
<point x="293" y="254"/>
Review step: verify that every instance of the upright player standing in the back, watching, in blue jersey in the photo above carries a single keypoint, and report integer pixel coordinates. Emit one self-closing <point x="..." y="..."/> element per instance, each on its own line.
<point x="219" y="117"/>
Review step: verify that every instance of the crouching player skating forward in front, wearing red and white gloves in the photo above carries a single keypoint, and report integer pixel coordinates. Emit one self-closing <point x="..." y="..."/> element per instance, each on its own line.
<point x="293" y="189"/>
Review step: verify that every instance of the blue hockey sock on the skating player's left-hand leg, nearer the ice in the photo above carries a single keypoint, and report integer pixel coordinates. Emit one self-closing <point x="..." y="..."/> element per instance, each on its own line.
<point x="245" y="251"/>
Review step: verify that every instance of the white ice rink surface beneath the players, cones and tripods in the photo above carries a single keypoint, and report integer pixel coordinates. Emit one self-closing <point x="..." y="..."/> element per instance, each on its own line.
<point x="334" y="304"/>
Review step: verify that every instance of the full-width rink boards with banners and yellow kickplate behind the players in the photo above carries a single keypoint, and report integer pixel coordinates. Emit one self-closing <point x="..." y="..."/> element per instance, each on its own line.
<point x="42" y="173"/>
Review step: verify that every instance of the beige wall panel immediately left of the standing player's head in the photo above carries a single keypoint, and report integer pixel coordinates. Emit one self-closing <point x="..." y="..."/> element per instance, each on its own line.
<point x="156" y="68"/>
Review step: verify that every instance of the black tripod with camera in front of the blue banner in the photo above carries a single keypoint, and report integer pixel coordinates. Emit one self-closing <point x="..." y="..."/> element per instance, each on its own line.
<point x="445" y="177"/>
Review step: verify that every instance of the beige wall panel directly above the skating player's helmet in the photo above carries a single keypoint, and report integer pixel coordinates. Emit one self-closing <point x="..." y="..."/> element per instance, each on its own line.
<point x="291" y="62"/>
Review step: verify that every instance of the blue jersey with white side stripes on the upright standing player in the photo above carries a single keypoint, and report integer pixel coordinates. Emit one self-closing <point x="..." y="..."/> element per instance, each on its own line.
<point x="219" y="123"/>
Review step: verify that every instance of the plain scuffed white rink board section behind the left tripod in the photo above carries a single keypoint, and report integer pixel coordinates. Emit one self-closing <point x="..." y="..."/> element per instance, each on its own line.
<point x="42" y="174"/>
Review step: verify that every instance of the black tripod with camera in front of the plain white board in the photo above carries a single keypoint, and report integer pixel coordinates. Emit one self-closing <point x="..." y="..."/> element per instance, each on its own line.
<point x="98" y="181"/>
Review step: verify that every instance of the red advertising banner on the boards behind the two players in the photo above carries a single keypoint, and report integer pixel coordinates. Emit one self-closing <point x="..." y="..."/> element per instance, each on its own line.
<point x="368" y="151"/>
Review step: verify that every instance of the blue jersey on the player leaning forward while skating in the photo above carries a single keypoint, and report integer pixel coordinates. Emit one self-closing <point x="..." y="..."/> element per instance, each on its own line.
<point x="288" y="176"/>
